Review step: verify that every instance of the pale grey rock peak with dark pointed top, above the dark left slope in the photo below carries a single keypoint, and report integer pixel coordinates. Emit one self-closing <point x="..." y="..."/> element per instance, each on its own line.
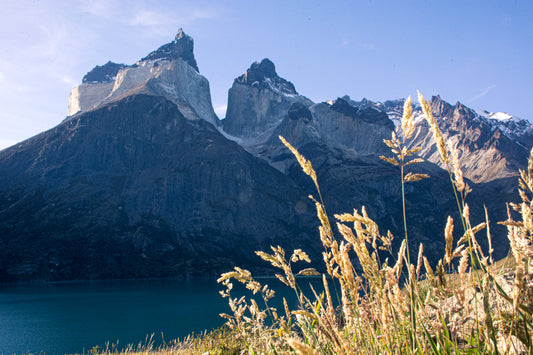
<point x="170" y="71"/>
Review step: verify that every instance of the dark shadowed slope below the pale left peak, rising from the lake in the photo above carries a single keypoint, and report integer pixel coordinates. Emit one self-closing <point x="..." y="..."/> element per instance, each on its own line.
<point x="135" y="190"/>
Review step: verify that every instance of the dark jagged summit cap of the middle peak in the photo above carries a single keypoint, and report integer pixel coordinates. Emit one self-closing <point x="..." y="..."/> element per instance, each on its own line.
<point x="263" y="74"/>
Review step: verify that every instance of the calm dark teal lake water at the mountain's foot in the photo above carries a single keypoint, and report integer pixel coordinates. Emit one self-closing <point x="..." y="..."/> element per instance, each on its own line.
<point x="74" y="317"/>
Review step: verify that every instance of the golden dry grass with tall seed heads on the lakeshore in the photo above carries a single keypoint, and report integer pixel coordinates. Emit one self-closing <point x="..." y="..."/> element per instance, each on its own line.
<point x="467" y="304"/>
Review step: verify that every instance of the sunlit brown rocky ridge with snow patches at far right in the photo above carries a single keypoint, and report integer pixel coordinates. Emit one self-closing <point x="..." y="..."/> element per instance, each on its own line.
<point x="490" y="146"/>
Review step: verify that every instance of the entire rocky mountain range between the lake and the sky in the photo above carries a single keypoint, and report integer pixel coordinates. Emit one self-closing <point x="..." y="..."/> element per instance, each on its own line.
<point x="142" y="179"/>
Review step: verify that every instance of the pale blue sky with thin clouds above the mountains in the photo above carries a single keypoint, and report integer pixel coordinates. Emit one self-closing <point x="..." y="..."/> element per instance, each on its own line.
<point x="476" y="52"/>
